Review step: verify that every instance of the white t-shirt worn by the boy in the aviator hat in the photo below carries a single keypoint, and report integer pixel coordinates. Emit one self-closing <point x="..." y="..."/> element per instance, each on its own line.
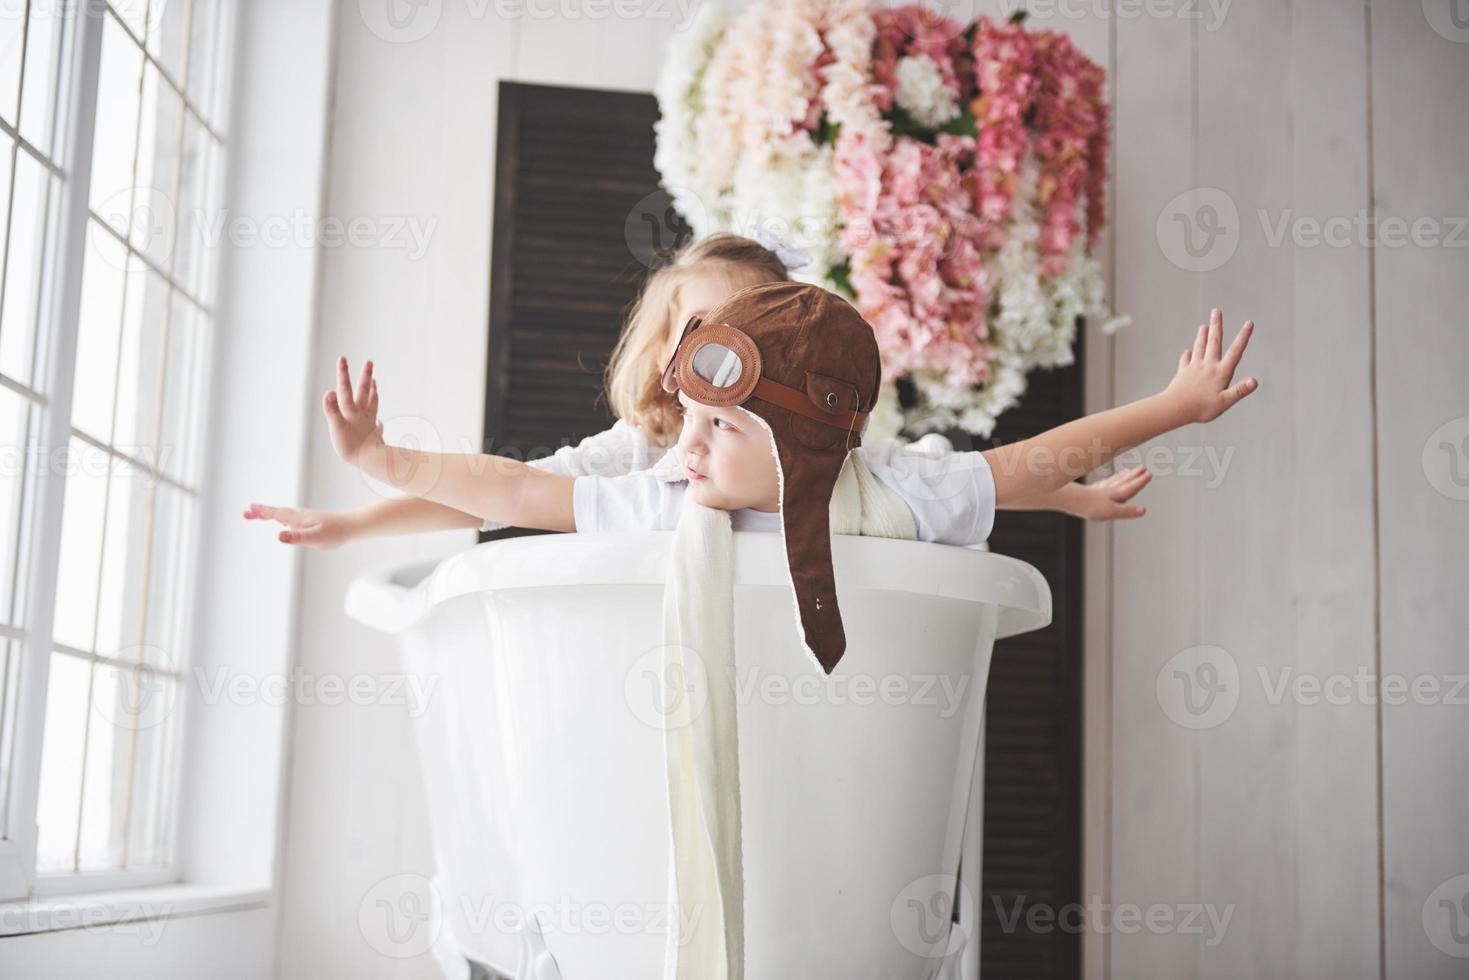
<point x="951" y="496"/>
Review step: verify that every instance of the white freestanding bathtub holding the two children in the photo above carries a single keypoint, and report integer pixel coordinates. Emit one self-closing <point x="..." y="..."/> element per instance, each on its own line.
<point x="543" y="756"/>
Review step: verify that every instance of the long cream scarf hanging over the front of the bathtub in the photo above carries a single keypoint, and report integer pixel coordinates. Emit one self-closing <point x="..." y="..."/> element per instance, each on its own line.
<point x="701" y="746"/>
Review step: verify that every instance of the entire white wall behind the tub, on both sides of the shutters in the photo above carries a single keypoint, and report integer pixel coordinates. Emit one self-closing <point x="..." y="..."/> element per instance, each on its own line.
<point x="1324" y="546"/>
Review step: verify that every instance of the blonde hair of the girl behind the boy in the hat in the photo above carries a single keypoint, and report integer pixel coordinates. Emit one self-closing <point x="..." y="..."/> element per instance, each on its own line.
<point x="635" y="371"/>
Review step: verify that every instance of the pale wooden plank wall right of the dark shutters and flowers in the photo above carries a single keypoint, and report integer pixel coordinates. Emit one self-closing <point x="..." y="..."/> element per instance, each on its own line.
<point x="1327" y="547"/>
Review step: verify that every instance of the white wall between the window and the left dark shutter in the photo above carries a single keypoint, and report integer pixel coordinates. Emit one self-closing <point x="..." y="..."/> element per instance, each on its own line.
<point x="414" y="134"/>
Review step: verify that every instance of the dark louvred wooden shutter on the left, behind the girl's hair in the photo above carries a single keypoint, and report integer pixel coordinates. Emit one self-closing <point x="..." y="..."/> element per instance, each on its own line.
<point x="578" y="220"/>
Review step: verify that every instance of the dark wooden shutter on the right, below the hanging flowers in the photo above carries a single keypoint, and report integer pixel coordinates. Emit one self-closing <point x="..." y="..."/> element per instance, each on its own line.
<point x="1033" y="724"/>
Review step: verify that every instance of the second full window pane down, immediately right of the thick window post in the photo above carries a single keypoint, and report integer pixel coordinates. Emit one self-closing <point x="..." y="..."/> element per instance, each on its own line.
<point x="99" y="333"/>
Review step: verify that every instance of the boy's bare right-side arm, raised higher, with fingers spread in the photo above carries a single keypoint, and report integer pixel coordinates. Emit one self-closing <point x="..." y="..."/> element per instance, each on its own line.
<point x="1201" y="392"/>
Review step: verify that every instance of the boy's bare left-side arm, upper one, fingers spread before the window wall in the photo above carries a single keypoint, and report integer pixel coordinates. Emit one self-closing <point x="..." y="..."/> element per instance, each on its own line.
<point x="490" y="487"/>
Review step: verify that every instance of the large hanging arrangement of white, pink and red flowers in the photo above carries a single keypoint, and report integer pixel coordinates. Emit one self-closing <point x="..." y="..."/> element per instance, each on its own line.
<point x="947" y="179"/>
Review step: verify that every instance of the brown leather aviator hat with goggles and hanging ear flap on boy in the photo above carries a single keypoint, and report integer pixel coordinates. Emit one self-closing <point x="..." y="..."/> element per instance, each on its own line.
<point x="804" y="362"/>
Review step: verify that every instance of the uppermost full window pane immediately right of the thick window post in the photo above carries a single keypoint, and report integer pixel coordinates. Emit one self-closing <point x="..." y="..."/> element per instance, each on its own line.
<point x="117" y="130"/>
